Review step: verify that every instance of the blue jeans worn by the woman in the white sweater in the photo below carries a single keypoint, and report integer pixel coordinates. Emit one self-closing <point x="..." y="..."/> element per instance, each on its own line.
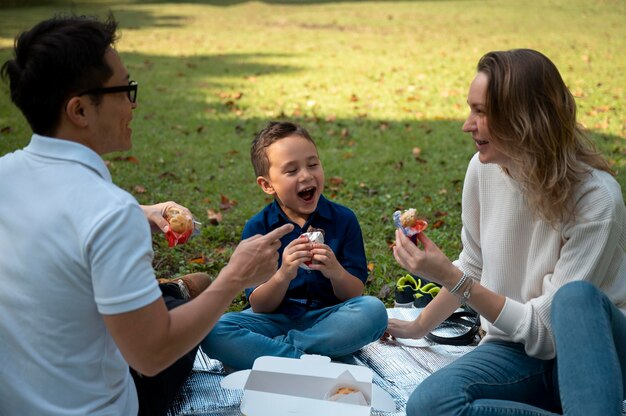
<point x="498" y="378"/>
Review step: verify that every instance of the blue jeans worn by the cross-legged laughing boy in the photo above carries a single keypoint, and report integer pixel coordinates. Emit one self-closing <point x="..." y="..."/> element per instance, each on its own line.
<point x="239" y="338"/>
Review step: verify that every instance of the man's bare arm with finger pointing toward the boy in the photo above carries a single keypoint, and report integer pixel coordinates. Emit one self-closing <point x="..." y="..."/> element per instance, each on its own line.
<point x="152" y="338"/>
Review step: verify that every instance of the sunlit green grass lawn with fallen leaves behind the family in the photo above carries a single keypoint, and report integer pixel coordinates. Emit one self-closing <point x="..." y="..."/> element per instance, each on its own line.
<point x="380" y="85"/>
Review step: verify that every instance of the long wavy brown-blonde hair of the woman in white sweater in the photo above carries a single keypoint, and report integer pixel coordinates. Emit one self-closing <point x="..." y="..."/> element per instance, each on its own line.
<point x="532" y="114"/>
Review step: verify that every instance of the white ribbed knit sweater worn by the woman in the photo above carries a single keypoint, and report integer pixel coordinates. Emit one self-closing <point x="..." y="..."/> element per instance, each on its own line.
<point x="527" y="260"/>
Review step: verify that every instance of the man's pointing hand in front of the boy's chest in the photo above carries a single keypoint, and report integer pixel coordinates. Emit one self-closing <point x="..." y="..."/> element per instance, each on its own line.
<point x="256" y="258"/>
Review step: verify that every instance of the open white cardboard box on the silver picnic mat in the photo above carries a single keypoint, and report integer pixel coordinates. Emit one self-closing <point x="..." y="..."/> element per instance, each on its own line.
<point x="290" y="386"/>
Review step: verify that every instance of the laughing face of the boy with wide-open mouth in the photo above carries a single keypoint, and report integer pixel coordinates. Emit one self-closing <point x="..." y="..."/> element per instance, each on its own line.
<point x="295" y="177"/>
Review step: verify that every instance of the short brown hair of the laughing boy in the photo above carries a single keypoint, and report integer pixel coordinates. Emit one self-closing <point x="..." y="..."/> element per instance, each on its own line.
<point x="274" y="131"/>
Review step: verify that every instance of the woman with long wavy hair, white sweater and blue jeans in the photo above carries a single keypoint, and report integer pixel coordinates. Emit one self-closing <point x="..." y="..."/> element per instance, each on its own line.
<point x="544" y="233"/>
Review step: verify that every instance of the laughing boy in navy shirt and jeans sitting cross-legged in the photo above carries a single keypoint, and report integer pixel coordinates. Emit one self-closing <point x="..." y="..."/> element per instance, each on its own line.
<point x="298" y="311"/>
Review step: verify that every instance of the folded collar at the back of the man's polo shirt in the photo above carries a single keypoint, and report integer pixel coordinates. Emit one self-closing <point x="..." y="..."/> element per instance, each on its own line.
<point x="68" y="150"/>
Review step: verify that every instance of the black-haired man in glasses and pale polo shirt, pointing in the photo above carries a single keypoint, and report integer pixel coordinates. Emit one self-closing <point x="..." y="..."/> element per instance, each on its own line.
<point x="79" y="299"/>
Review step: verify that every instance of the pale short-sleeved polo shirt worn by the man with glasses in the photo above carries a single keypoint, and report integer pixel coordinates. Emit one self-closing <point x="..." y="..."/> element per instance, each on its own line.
<point x="73" y="247"/>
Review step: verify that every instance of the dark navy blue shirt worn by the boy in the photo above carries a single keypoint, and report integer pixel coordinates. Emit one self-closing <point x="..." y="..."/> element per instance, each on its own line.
<point x="310" y="289"/>
